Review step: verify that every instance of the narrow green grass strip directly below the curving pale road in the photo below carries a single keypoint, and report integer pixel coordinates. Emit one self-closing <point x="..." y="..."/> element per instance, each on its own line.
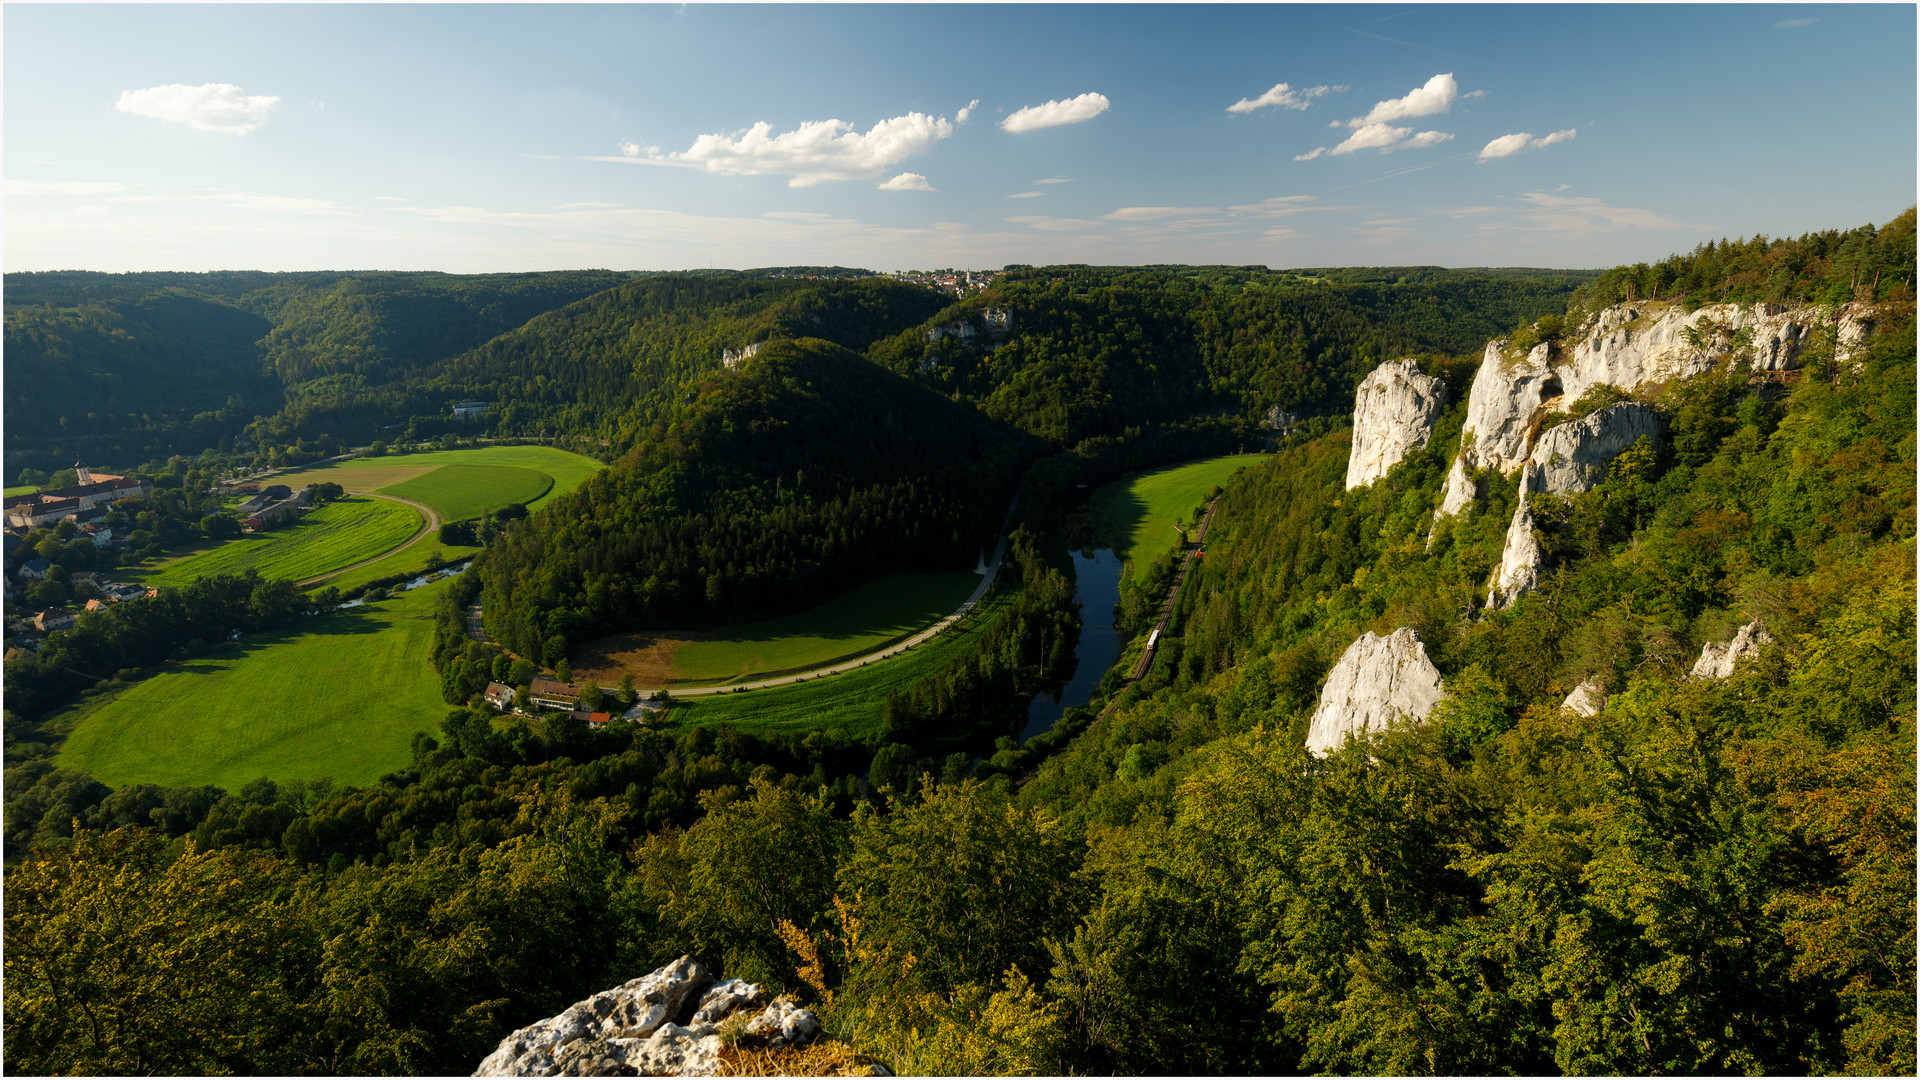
<point x="852" y="700"/>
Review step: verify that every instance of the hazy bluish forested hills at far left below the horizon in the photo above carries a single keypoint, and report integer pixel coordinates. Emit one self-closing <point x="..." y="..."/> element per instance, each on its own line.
<point x="143" y="366"/>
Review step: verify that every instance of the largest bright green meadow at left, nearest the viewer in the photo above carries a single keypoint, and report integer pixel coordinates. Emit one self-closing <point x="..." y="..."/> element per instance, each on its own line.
<point x="335" y="697"/>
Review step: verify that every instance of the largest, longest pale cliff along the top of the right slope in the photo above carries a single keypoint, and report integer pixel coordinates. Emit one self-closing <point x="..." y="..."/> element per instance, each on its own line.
<point x="1625" y="347"/>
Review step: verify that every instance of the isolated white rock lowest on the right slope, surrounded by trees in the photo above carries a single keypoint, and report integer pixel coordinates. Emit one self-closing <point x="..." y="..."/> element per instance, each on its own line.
<point x="1376" y="683"/>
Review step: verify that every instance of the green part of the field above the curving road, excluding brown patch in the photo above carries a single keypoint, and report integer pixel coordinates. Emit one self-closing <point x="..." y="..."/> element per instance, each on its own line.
<point x="869" y="618"/>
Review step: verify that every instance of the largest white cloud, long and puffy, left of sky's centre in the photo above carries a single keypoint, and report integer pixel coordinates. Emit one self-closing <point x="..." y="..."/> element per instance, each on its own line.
<point x="813" y="153"/>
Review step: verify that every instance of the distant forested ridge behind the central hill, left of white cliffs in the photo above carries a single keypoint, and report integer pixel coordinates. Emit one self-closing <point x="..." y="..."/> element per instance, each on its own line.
<point x="1095" y="351"/>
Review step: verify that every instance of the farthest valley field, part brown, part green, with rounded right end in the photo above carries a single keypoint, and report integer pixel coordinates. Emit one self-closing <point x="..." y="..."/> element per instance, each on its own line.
<point x="469" y="476"/>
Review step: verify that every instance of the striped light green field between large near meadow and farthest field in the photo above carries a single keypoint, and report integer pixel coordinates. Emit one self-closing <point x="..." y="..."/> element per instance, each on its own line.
<point x="325" y="539"/>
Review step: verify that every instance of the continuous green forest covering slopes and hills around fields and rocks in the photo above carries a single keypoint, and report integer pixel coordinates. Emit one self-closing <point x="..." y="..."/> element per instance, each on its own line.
<point x="1704" y="877"/>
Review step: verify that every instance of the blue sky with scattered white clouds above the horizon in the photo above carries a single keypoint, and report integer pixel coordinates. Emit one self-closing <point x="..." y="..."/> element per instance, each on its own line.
<point x="656" y="137"/>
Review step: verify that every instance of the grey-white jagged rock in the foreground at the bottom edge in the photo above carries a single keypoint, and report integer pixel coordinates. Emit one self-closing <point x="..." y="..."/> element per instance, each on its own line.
<point x="658" y="1025"/>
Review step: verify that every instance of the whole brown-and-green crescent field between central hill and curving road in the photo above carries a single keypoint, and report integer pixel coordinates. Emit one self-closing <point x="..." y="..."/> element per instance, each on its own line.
<point x="865" y="620"/>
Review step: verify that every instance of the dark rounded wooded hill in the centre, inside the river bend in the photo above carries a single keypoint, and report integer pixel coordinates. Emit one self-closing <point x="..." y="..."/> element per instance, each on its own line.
<point x="786" y="481"/>
